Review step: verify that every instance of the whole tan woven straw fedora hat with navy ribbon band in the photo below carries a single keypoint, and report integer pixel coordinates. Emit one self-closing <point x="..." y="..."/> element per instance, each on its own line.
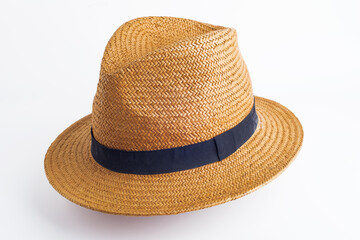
<point x="175" y="126"/>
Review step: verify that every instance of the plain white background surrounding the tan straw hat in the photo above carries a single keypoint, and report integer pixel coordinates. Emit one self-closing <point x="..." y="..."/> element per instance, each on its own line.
<point x="303" y="54"/>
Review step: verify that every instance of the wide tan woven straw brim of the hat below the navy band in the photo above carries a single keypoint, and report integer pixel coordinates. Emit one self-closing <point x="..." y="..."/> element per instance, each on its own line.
<point x="73" y="172"/>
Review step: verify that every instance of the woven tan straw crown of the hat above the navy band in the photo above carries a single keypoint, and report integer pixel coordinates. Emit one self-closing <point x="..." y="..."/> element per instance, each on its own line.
<point x="169" y="82"/>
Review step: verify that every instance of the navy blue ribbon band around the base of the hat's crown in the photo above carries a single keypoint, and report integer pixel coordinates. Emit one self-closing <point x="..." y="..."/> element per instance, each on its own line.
<point x="179" y="158"/>
